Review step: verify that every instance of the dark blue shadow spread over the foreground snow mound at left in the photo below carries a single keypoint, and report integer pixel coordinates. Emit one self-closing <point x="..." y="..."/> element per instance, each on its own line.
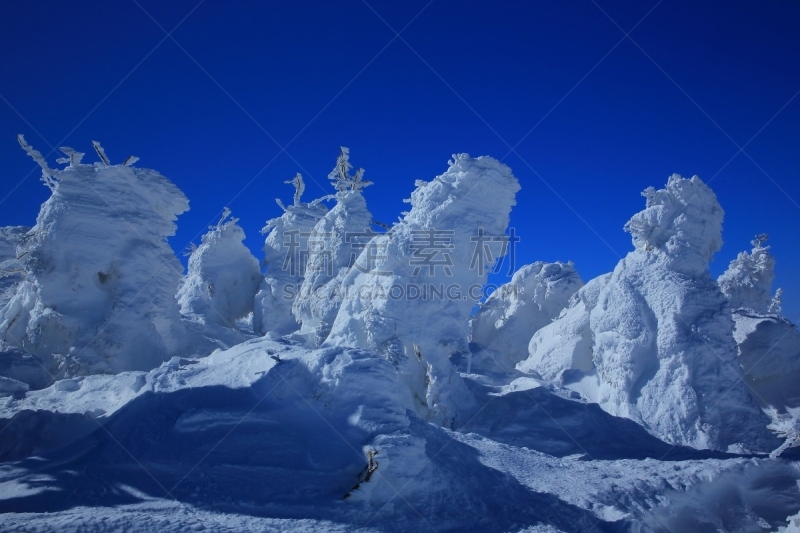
<point x="266" y="451"/>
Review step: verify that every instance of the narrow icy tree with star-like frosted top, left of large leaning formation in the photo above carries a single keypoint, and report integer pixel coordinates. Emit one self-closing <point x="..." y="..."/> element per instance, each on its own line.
<point x="333" y="245"/>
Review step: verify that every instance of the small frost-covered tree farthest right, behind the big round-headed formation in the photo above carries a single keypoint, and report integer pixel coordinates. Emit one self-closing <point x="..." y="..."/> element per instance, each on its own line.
<point x="748" y="280"/>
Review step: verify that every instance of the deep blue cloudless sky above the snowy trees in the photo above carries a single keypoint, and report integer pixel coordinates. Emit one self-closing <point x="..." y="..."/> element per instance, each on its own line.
<point x="245" y="94"/>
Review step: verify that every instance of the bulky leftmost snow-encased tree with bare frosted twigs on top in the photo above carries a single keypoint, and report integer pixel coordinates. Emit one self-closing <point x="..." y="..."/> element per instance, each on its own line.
<point x="98" y="294"/>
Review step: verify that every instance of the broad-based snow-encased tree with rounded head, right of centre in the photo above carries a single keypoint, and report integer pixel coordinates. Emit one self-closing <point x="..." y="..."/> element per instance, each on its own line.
<point x="654" y="341"/>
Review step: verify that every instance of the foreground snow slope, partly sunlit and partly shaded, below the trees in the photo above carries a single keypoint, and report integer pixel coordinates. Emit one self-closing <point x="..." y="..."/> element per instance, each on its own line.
<point x="272" y="435"/>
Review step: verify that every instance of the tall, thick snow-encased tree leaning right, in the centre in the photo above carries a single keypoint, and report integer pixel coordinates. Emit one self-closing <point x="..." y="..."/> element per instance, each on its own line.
<point x="411" y="291"/>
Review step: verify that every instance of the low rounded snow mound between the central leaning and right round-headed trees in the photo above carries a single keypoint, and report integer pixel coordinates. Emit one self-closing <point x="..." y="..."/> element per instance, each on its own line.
<point x="505" y="323"/>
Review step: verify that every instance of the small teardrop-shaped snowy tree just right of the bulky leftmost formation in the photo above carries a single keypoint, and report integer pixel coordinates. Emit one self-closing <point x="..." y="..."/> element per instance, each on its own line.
<point x="223" y="277"/>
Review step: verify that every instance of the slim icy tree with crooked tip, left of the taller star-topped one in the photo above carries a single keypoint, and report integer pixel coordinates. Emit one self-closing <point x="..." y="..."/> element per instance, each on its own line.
<point x="285" y="256"/>
